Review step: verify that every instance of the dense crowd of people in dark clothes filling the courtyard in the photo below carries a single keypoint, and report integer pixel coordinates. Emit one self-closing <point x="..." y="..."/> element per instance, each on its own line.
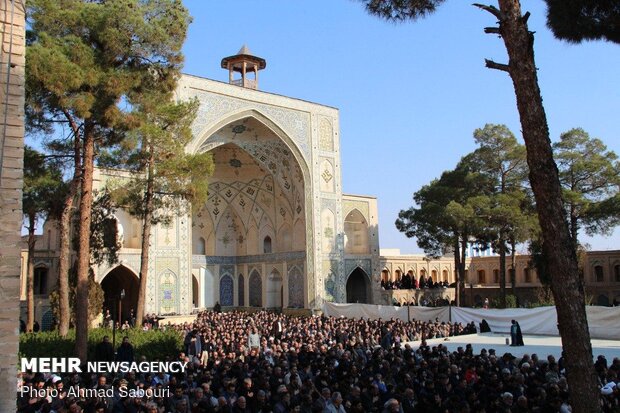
<point x="267" y="362"/>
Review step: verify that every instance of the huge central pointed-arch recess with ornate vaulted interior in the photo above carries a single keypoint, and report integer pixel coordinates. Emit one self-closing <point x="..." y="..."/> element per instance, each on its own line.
<point x="265" y="178"/>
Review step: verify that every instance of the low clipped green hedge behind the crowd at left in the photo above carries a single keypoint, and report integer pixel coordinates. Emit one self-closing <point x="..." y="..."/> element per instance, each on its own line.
<point x="153" y="344"/>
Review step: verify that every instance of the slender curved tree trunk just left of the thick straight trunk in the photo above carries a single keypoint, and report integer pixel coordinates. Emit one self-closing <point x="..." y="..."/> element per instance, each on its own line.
<point x="64" y="228"/>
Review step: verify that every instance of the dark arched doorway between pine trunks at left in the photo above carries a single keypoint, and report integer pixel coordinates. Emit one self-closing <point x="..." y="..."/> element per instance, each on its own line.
<point x="120" y="278"/>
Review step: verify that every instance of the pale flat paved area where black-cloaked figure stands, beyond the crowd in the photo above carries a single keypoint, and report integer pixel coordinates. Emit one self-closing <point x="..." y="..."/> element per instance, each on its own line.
<point x="541" y="345"/>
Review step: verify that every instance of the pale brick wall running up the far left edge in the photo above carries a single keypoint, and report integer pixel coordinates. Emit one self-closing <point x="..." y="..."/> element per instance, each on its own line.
<point x="12" y="59"/>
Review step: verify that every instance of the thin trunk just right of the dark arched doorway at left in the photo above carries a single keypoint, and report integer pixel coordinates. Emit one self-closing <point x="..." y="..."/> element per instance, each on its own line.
<point x="146" y="236"/>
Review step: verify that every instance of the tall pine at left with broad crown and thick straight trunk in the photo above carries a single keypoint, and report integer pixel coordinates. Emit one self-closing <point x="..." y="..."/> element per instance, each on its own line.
<point x="86" y="60"/>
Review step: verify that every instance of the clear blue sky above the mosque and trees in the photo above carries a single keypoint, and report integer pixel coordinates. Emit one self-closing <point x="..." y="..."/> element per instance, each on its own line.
<point x="411" y="94"/>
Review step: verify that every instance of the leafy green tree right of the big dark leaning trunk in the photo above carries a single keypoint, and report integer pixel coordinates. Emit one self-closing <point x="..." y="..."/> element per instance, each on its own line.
<point x="590" y="178"/>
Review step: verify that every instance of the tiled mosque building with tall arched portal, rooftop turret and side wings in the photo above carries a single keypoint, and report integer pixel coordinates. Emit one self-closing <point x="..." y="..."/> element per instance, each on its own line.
<point x="276" y="231"/>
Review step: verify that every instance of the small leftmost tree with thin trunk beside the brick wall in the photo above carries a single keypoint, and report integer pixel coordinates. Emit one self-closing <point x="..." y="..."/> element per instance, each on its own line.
<point x="41" y="181"/>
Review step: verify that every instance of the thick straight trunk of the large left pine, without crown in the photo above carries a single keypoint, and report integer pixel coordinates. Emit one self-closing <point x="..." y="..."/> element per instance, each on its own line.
<point x="83" y="253"/>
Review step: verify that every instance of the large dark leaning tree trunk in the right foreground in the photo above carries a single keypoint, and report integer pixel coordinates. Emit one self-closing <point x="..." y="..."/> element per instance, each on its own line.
<point x="565" y="283"/>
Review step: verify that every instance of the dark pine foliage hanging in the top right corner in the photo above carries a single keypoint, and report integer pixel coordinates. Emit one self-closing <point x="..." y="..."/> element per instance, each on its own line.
<point x="579" y="20"/>
